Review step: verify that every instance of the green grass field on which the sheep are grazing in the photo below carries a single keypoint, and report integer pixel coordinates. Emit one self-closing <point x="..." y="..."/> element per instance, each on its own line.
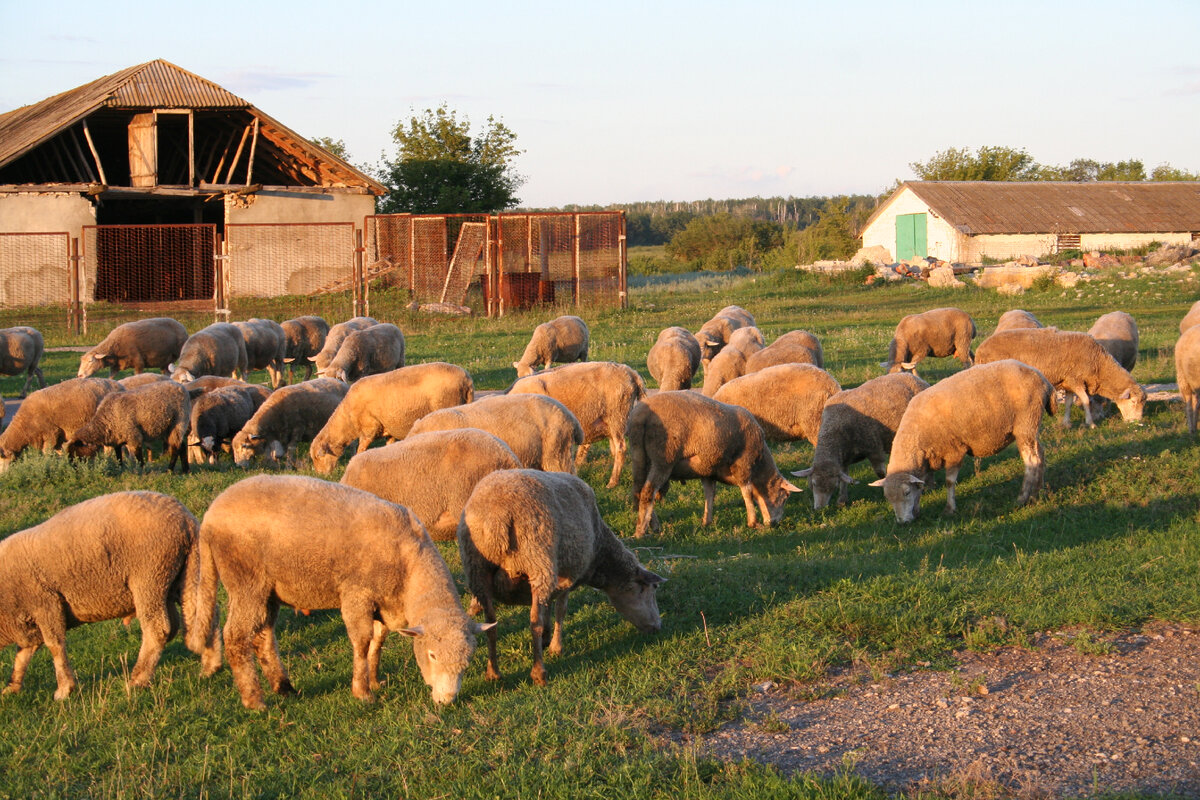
<point x="1111" y="545"/>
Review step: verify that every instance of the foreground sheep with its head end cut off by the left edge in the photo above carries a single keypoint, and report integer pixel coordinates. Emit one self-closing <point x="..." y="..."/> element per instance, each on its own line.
<point x="117" y="556"/>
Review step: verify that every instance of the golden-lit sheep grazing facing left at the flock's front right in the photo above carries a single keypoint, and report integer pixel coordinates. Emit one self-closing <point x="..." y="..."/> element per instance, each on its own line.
<point x="980" y="412"/>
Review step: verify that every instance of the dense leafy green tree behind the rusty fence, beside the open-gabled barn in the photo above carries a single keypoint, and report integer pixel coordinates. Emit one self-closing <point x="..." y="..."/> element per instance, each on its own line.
<point x="440" y="169"/>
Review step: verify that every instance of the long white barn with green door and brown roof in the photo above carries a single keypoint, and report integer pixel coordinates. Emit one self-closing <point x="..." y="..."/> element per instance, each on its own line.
<point x="968" y="221"/>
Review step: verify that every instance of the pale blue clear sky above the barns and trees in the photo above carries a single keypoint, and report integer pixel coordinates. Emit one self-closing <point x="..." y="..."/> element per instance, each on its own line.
<point x="621" y="103"/>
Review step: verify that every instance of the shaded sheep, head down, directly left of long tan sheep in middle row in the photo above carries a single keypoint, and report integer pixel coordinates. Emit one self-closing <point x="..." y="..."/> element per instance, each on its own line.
<point x="292" y="414"/>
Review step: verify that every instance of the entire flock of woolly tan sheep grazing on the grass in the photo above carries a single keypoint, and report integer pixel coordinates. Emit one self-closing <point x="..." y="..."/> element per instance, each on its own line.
<point x="496" y="471"/>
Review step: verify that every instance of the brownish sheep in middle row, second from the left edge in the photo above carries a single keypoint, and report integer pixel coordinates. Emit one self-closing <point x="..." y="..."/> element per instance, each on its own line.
<point x="161" y="411"/>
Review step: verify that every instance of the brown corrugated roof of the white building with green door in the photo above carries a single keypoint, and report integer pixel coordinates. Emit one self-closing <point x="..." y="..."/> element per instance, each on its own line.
<point x="1060" y="208"/>
